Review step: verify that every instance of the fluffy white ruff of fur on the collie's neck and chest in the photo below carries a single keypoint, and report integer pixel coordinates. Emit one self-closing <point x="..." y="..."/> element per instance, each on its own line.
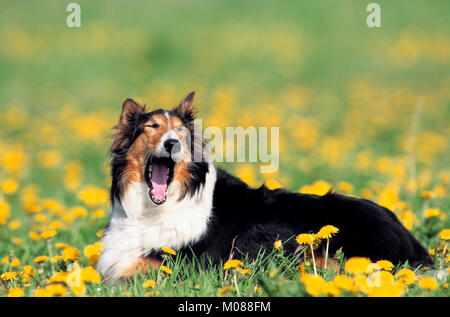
<point x="138" y="226"/>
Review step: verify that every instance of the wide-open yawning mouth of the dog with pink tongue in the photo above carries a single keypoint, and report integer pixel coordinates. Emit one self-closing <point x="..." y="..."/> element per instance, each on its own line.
<point x="158" y="175"/>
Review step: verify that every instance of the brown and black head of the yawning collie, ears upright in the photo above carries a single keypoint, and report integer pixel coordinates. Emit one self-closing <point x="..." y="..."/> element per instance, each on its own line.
<point x="156" y="147"/>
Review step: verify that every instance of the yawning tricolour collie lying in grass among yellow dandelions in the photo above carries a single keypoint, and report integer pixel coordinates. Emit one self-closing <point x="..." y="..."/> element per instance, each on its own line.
<point x="161" y="197"/>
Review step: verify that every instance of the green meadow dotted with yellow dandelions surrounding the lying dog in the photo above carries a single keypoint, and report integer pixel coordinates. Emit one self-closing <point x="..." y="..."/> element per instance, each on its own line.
<point x="364" y="111"/>
